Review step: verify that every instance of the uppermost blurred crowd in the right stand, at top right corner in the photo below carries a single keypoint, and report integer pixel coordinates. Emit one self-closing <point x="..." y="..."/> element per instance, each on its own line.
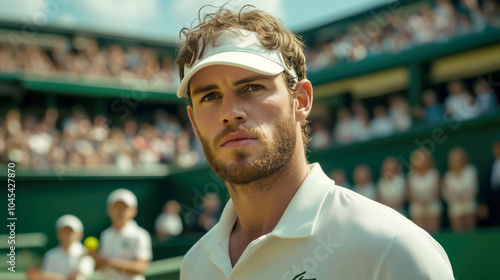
<point x="396" y="32"/>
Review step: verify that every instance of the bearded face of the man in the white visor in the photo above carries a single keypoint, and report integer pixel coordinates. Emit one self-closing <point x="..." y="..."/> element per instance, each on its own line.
<point x="244" y="120"/>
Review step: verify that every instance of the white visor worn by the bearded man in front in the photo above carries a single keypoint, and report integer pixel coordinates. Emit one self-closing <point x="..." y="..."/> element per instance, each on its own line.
<point x="240" y="48"/>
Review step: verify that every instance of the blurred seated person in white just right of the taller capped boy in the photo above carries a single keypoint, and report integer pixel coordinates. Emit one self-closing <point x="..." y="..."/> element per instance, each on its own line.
<point x="169" y="222"/>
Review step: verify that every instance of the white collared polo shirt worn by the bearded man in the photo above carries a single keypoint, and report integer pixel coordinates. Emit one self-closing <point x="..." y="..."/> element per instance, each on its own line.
<point x="326" y="232"/>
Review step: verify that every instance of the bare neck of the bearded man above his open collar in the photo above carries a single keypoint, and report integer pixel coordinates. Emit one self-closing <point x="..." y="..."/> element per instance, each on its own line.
<point x="261" y="204"/>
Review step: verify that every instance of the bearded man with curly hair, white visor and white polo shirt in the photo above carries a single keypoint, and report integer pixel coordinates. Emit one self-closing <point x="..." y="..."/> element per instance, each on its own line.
<point x="244" y="76"/>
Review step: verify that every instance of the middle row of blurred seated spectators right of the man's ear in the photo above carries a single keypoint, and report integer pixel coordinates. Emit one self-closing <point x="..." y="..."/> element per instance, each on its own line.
<point x="354" y="124"/>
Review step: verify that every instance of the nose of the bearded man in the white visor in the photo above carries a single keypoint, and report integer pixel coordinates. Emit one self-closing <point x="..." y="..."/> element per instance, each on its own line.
<point x="232" y="109"/>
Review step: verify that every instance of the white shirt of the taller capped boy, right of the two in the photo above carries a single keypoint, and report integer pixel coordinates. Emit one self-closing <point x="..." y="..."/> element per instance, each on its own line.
<point x="129" y="243"/>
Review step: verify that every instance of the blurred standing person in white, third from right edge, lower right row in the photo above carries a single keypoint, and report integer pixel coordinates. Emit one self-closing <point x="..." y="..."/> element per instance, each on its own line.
<point x="423" y="189"/>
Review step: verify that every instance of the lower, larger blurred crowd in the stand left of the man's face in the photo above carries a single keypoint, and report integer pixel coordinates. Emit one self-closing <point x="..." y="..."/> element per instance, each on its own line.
<point x="84" y="141"/>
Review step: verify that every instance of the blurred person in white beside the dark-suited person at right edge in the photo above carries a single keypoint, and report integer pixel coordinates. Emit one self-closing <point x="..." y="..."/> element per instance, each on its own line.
<point x="459" y="191"/>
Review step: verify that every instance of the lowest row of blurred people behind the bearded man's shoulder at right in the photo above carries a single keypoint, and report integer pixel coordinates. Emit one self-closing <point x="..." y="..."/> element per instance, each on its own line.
<point x="421" y="193"/>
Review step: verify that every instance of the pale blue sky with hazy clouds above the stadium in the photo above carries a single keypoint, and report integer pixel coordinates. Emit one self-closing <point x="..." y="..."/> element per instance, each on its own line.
<point x="162" y="20"/>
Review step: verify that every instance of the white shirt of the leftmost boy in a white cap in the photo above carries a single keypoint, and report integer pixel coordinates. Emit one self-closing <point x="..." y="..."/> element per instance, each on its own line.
<point x="75" y="259"/>
